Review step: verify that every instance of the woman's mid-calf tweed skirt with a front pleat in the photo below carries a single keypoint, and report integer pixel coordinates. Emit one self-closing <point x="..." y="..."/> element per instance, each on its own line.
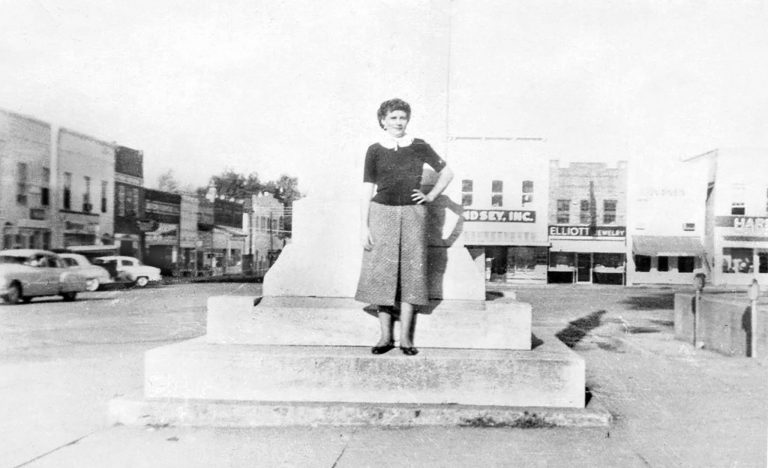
<point x="395" y="269"/>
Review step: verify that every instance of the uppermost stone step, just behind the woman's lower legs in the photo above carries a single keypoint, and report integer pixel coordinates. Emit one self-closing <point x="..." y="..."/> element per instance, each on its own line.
<point x="497" y="324"/>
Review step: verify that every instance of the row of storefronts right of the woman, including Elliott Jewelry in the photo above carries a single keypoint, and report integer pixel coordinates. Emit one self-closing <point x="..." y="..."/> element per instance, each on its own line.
<point x="532" y="220"/>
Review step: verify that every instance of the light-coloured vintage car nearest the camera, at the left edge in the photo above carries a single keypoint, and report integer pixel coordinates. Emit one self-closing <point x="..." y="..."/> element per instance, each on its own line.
<point x="28" y="273"/>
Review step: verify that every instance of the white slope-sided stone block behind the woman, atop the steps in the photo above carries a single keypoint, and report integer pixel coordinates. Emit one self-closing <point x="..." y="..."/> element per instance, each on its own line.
<point x="325" y="255"/>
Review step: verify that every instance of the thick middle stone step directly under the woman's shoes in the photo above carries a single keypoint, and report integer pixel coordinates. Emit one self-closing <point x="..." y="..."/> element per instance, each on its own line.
<point x="550" y="375"/>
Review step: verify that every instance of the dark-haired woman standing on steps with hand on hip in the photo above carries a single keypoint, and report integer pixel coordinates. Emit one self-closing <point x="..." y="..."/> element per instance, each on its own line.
<point x="394" y="216"/>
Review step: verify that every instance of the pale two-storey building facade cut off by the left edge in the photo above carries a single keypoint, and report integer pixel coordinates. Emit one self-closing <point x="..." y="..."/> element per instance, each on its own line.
<point x="25" y="176"/>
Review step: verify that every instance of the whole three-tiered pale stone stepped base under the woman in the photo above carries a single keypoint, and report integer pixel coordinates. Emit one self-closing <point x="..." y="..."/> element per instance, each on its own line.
<point x="293" y="361"/>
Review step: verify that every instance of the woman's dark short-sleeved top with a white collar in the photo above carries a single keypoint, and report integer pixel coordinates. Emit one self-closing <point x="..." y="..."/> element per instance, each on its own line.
<point x="398" y="173"/>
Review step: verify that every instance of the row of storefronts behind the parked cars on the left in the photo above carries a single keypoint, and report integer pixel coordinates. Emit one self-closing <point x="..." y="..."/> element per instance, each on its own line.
<point x="60" y="189"/>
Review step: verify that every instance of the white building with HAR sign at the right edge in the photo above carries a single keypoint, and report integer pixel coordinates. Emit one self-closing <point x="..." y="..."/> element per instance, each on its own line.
<point x="736" y="214"/>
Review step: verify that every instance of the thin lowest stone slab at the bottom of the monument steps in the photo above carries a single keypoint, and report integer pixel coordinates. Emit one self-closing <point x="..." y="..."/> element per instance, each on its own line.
<point x="135" y="410"/>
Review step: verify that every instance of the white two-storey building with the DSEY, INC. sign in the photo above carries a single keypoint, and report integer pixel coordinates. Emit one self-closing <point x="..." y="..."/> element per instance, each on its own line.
<point x="503" y="184"/>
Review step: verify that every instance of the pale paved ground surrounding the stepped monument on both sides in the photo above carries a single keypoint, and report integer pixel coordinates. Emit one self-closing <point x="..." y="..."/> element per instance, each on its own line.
<point x="60" y="363"/>
